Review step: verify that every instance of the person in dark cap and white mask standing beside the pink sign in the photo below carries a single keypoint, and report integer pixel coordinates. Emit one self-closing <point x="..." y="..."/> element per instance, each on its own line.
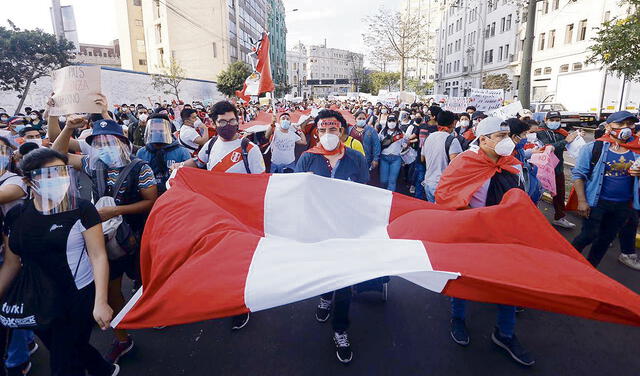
<point x="553" y="135"/>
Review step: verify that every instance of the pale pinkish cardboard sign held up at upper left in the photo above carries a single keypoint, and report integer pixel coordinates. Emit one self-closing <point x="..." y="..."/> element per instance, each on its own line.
<point x="76" y="88"/>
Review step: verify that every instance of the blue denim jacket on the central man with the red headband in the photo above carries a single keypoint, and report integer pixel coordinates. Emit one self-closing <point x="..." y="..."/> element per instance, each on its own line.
<point x="352" y="166"/>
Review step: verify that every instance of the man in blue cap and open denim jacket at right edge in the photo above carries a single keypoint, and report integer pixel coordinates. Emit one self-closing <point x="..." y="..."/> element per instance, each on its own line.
<point x="606" y="186"/>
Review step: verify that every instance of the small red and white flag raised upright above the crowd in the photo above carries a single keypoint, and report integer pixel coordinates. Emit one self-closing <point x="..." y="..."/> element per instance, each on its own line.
<point x="260" y="80"/>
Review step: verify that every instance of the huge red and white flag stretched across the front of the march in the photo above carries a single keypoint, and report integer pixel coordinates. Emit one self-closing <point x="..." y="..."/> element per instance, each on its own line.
<point x="221" y="244"/>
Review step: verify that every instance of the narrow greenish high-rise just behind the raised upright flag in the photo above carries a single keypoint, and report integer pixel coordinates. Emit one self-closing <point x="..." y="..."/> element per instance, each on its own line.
<point x="278" y="38"/>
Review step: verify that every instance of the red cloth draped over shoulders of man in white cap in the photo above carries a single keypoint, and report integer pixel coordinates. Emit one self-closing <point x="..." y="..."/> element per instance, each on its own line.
<point x="466" y="174"/>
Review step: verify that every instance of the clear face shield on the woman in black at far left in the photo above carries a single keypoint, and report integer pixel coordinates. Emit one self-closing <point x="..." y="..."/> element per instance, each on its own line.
<point x="54" y="189"/>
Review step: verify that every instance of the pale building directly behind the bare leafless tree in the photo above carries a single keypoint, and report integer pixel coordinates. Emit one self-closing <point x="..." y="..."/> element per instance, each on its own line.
<point x="424" y="68"/>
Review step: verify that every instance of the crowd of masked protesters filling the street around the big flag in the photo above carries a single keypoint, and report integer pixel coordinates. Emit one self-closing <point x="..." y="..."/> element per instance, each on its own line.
<point x="76" y="190"/>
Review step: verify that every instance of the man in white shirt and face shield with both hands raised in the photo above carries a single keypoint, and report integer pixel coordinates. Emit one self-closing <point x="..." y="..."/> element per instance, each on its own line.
<point x="283" y="144"/>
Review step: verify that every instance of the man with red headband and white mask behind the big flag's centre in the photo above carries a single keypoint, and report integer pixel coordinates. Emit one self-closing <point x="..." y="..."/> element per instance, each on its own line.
<point x="331" y="159"/>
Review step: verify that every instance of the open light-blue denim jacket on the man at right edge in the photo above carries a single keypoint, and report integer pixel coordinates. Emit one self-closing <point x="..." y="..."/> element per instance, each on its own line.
<point x="593" y="182"/>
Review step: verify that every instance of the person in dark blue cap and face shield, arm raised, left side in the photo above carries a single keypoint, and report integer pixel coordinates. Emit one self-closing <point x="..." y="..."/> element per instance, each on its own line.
<point x="132" y="185"/>
